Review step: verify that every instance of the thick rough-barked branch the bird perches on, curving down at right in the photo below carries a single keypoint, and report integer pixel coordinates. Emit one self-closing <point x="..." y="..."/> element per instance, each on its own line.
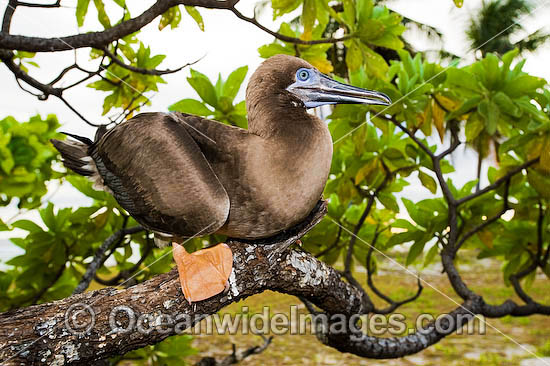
<point x="92" y="326"/>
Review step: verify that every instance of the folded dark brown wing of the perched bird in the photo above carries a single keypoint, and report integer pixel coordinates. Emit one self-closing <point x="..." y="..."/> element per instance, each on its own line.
<point x="159" y="174"/>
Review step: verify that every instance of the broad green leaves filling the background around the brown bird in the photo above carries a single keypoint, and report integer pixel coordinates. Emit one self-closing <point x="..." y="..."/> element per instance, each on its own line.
<point x="491" y="104"/>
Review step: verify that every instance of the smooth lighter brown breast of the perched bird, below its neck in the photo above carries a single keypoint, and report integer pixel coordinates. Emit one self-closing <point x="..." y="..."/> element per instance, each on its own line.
<point x="285" y="178"/>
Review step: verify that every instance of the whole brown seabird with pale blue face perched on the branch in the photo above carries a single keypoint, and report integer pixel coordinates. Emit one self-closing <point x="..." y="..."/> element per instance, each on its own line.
<point x="182" y="176"/>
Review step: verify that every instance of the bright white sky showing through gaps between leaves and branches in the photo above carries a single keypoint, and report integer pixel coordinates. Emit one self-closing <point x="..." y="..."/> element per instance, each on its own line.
<point x="226" y="44"/>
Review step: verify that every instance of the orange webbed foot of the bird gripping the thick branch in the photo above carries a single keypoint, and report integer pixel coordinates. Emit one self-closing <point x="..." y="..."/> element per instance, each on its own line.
<point x="204" y="273"/>
